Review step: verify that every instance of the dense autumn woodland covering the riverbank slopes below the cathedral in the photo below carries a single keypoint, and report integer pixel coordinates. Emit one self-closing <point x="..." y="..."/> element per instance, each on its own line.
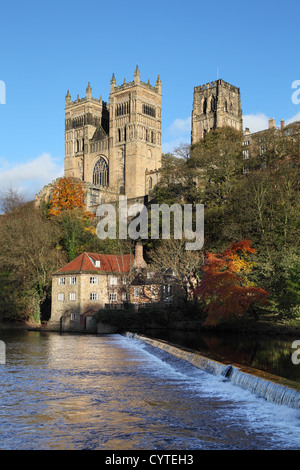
<point x="249" y="265"/>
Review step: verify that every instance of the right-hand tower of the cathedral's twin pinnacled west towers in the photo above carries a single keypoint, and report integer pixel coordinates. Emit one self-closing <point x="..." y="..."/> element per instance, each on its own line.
<point x="134" y="133"/>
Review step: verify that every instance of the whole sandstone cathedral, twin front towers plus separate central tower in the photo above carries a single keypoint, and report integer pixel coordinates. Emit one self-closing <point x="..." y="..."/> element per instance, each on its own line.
<point x="114" y="147"/>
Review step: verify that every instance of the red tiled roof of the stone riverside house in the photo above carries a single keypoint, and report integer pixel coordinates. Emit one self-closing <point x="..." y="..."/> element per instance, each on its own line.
<point x="108" y="263"/>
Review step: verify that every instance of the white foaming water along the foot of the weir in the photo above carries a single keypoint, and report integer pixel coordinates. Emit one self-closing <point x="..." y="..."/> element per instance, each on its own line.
<point x="283" y="422"/>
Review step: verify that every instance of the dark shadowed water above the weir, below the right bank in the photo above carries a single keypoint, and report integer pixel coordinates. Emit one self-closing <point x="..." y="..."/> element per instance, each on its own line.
<point x="271" y="355"/>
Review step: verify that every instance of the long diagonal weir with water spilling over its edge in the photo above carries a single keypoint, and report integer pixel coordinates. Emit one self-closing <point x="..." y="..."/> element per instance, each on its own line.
<point x="272" y="388"/>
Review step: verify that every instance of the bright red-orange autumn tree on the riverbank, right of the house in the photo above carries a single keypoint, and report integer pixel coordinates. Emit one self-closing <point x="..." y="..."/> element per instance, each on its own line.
<point x="225" y="287"/>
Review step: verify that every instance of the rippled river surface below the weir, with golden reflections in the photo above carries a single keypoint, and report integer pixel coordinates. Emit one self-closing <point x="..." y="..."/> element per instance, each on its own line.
<point x="112" y="393"/>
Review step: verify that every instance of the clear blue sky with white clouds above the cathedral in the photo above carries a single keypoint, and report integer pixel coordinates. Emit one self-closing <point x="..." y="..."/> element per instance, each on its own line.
<point x="47" y="48"/>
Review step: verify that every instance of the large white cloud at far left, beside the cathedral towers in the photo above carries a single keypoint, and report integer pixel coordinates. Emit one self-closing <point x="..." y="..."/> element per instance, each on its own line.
<point x="30" y="177"/>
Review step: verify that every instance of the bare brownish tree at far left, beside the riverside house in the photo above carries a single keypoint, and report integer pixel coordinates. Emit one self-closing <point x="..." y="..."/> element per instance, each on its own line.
<point x="29" y="254"/>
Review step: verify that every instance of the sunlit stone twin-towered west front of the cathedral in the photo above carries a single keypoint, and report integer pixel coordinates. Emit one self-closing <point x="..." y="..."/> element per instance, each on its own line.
<point x="115" y="146"/>
